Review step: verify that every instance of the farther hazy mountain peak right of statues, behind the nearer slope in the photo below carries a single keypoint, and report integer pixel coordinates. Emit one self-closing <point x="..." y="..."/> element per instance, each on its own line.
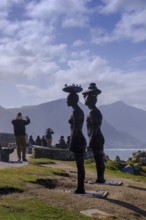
<point x="126" y="118"/>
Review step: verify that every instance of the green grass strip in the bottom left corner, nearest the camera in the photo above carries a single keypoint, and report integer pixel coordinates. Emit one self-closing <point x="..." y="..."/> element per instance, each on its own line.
<point x="30" y="209"/>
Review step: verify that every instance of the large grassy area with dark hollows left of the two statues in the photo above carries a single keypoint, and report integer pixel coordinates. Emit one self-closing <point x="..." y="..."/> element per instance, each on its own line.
<point x="19" y="200"/>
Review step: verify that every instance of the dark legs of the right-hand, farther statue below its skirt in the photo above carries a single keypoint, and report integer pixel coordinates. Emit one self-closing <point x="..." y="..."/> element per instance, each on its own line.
<point x="100" y="167"/>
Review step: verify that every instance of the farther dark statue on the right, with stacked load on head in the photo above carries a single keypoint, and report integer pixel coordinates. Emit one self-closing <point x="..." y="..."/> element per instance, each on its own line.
<point x="93" y="122"/>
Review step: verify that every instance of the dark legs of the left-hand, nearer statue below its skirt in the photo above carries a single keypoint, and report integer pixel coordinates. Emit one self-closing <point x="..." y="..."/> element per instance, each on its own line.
<point x="79" y="158"/>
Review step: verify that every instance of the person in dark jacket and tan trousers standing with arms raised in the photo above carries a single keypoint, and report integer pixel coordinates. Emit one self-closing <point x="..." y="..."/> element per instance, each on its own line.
<point x="20" y="135"/>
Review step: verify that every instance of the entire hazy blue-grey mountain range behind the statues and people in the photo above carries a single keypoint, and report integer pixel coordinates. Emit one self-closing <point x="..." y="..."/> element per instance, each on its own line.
<point x="123" y="126"/>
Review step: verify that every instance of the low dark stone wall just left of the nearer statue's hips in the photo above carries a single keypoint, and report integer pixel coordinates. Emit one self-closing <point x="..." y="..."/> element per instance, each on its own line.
<point x="52" y="153"/>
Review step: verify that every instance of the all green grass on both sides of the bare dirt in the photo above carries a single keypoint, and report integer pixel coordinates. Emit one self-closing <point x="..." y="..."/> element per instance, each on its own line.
<point x="28" y="193"/>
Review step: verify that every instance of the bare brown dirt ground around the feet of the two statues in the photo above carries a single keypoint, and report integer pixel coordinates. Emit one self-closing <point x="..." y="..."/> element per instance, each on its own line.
<point x="126" y="202"/>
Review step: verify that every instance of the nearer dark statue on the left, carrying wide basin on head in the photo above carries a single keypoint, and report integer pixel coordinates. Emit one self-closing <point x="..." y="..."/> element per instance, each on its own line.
<point x="77" y="140"/>
